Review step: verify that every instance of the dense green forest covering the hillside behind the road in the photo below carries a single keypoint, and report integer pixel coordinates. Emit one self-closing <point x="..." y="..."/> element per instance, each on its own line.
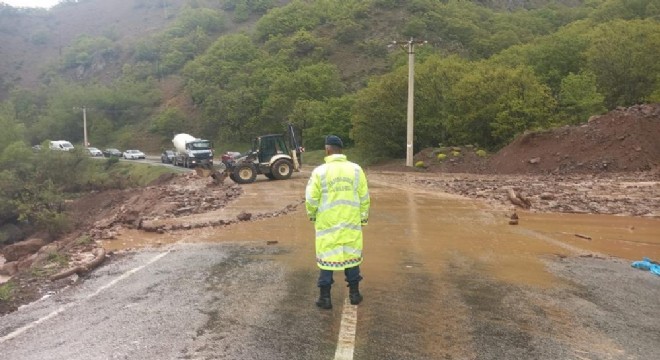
<point x="229" y="70"/>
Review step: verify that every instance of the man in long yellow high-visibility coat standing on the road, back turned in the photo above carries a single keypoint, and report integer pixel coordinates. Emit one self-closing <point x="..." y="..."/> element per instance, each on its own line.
<point x="337" y="201"/>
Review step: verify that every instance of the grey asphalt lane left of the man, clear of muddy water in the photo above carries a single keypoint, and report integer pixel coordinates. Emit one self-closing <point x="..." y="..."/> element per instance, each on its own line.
<point x="193" y="301"/>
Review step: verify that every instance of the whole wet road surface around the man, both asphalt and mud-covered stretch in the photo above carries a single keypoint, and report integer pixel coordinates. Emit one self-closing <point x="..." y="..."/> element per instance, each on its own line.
<point x="444" y="279"/>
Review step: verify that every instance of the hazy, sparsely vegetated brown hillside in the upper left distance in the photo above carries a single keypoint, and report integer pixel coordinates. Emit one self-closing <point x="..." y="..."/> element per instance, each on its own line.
<point x="32" y="40"/>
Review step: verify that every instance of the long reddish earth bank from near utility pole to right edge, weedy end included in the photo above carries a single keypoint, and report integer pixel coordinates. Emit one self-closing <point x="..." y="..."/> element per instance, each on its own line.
<point x="625" y="140"/>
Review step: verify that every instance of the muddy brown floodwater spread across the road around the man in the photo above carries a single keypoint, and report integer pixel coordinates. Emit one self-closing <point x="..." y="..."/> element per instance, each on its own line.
<point x="430" y="225"/>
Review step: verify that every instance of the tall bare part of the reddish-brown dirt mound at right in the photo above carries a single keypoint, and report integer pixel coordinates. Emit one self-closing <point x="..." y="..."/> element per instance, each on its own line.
<point x="623" y="140"/>
